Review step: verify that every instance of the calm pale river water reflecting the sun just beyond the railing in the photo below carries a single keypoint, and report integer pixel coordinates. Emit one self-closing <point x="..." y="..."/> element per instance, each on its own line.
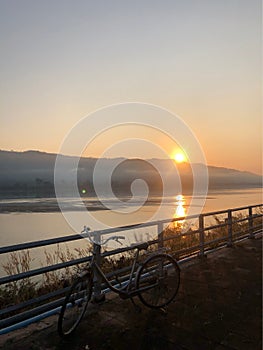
<point x="25" y="227"/>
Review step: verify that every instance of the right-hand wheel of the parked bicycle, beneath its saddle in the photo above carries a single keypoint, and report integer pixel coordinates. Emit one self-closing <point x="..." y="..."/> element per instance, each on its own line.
<point x="158" y="280"/>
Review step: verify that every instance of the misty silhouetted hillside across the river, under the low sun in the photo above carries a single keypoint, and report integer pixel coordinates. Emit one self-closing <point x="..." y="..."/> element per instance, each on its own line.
<point x="30" y="173"/>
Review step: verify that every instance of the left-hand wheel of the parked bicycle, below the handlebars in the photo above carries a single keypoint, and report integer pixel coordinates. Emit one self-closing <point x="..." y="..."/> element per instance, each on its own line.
<point x="74" y="305"/>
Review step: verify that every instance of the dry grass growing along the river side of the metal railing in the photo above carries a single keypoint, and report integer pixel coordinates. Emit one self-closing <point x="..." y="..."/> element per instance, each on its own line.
<point x="28" y="288"/>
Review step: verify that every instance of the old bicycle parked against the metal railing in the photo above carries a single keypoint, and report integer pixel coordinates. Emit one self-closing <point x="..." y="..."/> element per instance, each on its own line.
<point x="155" y="282"/>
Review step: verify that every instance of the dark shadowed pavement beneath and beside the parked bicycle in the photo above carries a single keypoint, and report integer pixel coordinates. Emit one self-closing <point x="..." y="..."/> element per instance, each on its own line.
<point x="218" y="308"/>
